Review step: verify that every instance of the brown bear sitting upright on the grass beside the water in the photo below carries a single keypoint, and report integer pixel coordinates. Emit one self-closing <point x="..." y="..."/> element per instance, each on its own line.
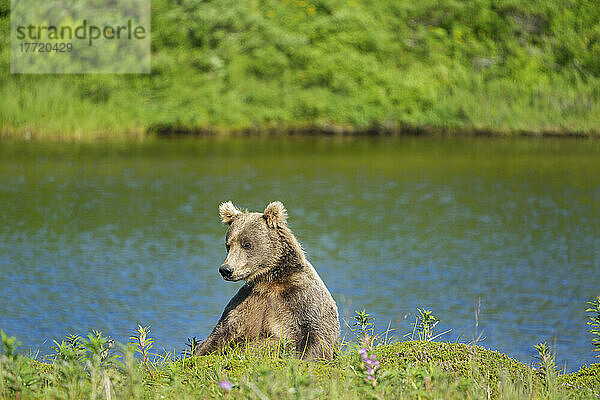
<point x="283" y="296"/>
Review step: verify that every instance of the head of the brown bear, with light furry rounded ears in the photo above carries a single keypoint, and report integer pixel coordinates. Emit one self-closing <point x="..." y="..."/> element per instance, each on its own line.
<point x="260" y="246"/>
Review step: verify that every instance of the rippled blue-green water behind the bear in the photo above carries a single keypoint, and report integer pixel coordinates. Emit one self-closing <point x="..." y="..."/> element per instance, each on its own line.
<point x="108" y="235"/>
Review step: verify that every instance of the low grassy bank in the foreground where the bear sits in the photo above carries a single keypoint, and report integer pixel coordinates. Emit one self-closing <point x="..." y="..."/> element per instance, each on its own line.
<point x="411" y="370"/>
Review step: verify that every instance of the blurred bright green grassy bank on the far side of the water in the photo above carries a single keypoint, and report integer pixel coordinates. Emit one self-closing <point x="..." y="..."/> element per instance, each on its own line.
<point x="332" y="66"/>
